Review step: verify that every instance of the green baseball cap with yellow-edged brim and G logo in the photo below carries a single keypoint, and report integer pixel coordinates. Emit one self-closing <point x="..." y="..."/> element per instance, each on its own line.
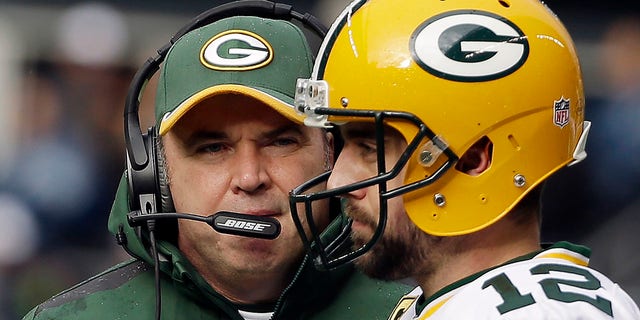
<point x="253" y="56"/>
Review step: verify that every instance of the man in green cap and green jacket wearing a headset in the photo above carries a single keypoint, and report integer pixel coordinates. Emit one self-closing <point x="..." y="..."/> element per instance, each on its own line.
<point x="228" y="140"/>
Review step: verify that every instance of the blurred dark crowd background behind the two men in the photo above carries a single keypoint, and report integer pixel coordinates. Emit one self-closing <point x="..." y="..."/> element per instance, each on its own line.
<point x="65" y="67"/>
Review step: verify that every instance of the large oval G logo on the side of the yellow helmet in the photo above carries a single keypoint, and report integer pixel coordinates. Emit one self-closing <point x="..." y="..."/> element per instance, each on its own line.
<point x="469" y="46"/>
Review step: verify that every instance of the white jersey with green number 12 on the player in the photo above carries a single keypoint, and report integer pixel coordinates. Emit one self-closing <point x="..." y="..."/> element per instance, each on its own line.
<point x="552" y="284"/>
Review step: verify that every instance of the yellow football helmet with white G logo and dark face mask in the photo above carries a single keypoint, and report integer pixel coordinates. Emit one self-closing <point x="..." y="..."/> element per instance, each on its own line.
<point x="446" y="74"/>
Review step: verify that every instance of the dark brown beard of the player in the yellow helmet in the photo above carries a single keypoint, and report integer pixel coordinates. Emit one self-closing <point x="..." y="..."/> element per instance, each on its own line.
<point x="400" y="253"/>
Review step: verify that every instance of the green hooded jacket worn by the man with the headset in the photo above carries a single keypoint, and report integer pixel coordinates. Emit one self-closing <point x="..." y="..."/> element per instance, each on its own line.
<point x="127" y="290"/>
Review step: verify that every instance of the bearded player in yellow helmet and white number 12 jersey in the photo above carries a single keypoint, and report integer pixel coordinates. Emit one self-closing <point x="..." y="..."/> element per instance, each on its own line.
<point x="453" y="114"/>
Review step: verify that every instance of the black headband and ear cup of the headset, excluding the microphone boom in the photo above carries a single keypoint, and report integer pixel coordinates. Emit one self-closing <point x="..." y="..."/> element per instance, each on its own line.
<point x="148" y="190"/>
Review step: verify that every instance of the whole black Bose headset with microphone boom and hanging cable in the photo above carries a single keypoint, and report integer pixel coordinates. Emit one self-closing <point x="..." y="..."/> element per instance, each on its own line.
<point x="148" y="191"/>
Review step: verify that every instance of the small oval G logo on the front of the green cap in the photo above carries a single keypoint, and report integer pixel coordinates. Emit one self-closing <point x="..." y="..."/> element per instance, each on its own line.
<point x="236" y="50"/>
